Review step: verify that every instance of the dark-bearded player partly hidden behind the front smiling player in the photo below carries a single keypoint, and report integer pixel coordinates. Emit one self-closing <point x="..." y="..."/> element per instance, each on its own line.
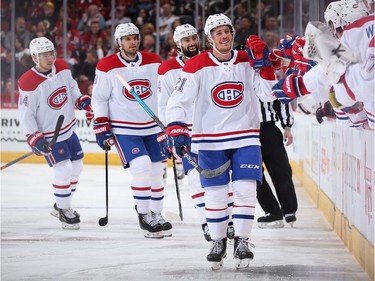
<point x="187" y="42"/>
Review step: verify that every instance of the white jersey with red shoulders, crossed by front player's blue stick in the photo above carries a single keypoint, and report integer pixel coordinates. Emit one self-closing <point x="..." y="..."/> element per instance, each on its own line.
<point x="111" y="99"/>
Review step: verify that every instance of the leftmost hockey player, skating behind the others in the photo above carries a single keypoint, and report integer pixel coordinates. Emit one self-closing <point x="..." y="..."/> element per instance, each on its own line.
<point x="47" y="91"/>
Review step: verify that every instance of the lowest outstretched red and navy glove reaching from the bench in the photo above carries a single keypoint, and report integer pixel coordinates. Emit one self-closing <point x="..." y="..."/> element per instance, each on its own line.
<point x="289" y="88"/>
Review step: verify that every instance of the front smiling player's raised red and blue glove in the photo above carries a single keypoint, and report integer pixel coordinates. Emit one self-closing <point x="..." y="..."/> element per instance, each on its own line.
<point x="257" y="52"/>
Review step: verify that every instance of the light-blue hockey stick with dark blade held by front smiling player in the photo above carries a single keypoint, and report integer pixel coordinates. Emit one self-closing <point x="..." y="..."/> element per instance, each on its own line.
<point x="205" y="173"/>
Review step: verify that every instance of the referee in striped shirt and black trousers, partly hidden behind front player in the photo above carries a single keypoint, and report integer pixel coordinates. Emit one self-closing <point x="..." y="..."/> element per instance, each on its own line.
<point x="276" y="160"/>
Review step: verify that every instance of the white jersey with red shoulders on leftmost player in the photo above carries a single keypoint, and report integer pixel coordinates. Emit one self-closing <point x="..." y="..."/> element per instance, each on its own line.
<point x="44" y="98"/>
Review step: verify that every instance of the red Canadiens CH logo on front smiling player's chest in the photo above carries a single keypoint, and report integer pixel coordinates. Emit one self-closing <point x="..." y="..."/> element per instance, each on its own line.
<point x="227" y="94"/>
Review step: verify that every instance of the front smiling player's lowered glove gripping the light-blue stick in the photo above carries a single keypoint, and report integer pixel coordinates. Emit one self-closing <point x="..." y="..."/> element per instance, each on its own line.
<point x="181" y="137"/>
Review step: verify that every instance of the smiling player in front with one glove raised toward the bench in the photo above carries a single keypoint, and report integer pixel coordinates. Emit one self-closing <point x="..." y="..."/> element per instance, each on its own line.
<point x="223" y="85"/>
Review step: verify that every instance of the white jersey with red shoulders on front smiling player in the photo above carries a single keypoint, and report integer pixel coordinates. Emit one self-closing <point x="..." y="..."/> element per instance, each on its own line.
<point x="226" y="101"/>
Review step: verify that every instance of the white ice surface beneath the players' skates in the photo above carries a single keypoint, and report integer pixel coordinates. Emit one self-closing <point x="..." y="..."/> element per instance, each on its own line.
<point x="34" y="247"/>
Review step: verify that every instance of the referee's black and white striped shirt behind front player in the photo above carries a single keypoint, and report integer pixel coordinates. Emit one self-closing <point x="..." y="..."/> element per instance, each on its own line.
<point x="276" y="111"/>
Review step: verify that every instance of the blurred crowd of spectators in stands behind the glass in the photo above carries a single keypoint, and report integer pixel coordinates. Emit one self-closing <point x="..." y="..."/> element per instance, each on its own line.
<point x="89" y="28"/>
